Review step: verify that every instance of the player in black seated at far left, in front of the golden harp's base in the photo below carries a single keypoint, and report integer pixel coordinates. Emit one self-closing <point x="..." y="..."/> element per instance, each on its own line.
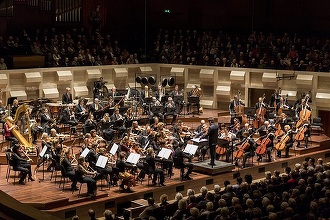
<point x="21" y="164"/>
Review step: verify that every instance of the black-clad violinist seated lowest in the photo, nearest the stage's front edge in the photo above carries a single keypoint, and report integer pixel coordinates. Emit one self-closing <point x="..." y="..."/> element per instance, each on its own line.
<point x="86" y="176"/>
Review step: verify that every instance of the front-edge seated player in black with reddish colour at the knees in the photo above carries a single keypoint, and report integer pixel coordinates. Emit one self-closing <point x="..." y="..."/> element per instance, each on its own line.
<point x="128" y="178"/>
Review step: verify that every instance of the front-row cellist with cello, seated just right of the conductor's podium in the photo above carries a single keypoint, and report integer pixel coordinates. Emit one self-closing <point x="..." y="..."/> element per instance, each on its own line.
<point x="249" y="148"/>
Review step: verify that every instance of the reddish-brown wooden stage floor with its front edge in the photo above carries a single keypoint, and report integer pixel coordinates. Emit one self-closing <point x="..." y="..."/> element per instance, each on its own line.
<point x="47" y="196"/>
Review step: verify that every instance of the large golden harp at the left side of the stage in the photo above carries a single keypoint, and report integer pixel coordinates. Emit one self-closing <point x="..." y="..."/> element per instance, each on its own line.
<point x="22" y="111"/>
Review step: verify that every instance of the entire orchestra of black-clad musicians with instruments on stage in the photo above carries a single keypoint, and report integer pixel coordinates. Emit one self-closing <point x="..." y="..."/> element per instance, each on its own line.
<point x="104" y="126"/>
